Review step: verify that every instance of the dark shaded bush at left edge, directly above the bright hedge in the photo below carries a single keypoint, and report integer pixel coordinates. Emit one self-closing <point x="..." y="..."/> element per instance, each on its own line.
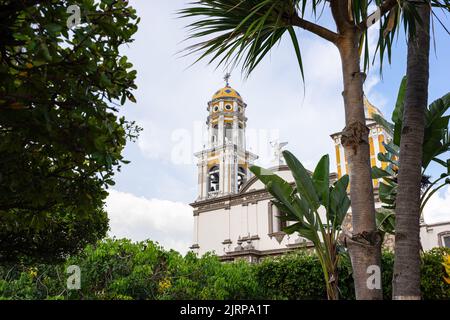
<point x="63" y="232"/>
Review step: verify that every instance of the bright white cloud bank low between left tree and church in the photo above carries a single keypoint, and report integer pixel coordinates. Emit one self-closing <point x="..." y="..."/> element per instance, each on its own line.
<point x="137" y="218"/>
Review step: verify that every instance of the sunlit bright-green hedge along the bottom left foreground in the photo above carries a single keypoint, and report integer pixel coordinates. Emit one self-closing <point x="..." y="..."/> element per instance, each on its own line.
<point x="120" y="269"/>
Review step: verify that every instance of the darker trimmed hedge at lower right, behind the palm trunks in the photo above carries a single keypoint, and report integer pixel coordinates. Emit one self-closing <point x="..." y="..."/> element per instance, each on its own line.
<point x="298" y="276"/>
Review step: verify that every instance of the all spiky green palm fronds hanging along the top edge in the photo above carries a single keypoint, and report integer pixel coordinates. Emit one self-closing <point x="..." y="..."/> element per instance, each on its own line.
<point x="232" y="32"/>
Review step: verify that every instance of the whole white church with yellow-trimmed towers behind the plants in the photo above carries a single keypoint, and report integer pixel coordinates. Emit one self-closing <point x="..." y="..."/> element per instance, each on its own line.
<point x="233" y="213"/>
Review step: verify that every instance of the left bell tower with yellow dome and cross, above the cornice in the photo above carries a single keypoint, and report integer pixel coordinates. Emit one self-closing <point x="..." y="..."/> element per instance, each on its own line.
<point x="223" y="165"/>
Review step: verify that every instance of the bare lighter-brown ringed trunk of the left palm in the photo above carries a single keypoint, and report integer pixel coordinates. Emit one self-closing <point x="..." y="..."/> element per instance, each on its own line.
<point x="365" y="244"/>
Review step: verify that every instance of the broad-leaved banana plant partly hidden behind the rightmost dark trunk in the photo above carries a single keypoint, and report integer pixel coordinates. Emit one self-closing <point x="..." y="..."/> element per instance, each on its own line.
<point x="436" y="144"/>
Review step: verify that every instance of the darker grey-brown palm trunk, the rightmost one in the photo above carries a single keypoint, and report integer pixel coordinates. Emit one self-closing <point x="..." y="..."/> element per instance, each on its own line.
<point x="406" y="279"/>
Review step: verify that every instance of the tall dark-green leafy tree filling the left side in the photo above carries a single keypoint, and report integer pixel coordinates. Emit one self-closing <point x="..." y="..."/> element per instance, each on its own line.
<point x="61" y="138"/>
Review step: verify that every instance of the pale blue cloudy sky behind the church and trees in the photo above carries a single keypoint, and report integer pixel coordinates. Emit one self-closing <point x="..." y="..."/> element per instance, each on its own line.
<point x="152" y="194"/>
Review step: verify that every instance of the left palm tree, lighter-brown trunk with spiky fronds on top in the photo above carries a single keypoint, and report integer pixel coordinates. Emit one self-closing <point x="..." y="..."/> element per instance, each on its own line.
<point x="244" y="31"/>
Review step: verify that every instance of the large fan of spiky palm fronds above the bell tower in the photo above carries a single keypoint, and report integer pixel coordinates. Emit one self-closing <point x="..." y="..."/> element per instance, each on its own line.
<point x="243" y="31"/>
